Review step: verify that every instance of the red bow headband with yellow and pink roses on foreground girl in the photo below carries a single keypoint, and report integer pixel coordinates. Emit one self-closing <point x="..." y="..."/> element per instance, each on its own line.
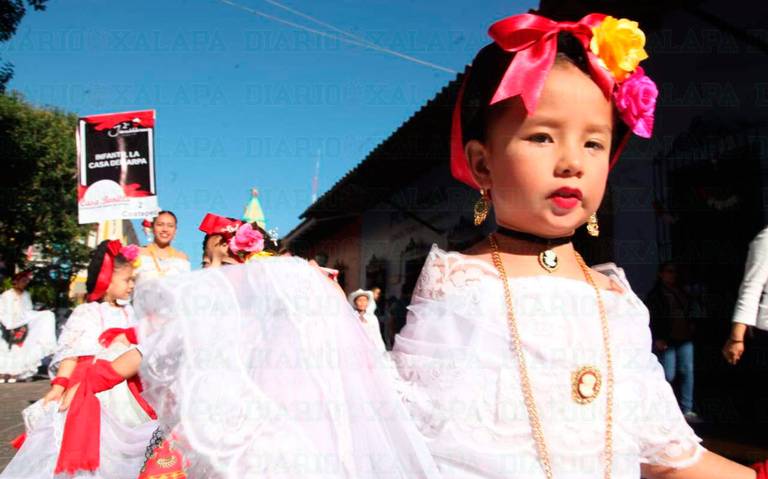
<point x="533" y="39"/>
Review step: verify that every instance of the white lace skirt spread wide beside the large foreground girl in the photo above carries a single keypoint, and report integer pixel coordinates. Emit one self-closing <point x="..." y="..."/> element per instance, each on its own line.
<point x="263" y="370"/>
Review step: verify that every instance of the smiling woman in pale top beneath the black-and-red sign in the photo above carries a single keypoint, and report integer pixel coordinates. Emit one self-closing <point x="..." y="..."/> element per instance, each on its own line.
<point x="159" y="258"/>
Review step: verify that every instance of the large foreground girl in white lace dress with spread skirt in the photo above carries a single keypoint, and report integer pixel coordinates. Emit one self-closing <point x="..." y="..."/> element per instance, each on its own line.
<point x="517" y="360"/>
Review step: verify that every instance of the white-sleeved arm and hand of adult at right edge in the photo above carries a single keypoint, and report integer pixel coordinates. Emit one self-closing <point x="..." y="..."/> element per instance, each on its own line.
<point x="752" y="303"/>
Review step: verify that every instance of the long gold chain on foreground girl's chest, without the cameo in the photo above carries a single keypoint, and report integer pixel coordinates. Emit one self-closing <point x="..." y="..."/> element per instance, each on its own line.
<point x="525" y="383"/>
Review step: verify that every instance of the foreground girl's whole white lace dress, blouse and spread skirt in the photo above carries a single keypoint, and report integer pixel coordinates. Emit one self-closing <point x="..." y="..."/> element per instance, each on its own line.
<point x="262" y="369"/>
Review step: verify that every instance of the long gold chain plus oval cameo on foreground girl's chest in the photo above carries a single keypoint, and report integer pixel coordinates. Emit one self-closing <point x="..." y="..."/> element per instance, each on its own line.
<point x="586" y="382"/>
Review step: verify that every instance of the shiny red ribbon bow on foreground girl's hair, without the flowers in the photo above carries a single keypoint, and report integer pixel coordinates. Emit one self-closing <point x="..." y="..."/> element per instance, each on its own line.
<point x="534" y="40"/>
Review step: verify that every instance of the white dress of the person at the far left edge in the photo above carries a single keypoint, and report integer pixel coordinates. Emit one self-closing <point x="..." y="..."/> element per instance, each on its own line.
<point x="16" y="311"/>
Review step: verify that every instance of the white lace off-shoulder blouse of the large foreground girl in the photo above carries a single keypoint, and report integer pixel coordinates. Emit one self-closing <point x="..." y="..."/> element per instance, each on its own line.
<point x="461" y="381"/>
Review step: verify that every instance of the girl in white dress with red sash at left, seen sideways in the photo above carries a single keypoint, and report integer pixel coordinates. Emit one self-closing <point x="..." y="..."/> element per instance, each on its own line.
<point x="105" y="434"/>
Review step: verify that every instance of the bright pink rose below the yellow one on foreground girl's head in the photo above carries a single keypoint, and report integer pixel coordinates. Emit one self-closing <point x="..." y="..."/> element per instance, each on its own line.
<point x="635" y="99"/>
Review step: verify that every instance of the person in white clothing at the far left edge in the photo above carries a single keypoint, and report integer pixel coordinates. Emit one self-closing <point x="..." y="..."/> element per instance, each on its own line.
<point x="28" y="336"/>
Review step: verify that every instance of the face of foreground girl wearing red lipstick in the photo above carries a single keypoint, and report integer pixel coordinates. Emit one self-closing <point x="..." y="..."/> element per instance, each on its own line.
<point x="547" y="171"/>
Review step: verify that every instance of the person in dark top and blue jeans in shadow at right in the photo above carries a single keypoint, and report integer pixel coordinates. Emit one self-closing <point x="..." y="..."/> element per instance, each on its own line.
<point x="672" y="327"/>
